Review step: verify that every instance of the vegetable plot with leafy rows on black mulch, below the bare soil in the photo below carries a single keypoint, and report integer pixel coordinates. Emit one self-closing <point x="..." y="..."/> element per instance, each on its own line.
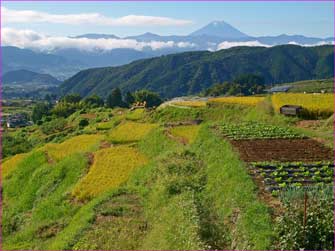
<point x="277" y="176"/>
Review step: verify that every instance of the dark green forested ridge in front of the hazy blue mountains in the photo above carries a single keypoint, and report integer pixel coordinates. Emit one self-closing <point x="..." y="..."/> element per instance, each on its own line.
<point x="191" y="72"/>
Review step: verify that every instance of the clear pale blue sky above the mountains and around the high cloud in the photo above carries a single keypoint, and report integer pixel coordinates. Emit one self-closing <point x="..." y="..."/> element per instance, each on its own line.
<point x="253" y="18"/>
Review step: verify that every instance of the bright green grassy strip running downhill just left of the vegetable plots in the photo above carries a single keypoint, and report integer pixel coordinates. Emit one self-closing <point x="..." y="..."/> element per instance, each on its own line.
<point x="231" y="193"/>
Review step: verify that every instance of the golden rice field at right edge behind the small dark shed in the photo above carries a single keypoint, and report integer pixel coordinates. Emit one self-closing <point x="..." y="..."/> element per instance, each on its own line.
<point x="319" y="105"/>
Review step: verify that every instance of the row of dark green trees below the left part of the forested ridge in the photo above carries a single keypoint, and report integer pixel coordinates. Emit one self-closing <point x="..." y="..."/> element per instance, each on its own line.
<point x="72" y="102"/>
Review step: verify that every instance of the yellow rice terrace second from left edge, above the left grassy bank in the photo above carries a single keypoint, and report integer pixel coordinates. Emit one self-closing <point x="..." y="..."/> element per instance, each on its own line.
<point x="78" y="144"/>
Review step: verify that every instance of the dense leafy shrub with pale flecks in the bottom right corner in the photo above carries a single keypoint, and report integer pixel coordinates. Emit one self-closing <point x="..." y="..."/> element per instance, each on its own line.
<point x="318" y="232"/>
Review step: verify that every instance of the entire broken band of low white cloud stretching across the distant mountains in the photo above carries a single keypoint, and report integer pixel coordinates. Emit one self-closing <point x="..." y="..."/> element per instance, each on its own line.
<point x="30" y="39"/>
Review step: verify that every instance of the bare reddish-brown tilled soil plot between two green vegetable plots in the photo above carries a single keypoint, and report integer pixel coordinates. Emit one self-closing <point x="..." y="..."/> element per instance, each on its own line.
<point x="283" y="150"/>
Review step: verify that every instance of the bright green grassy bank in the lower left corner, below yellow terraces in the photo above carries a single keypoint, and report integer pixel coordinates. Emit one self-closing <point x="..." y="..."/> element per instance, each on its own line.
<point x="35" y="214"/>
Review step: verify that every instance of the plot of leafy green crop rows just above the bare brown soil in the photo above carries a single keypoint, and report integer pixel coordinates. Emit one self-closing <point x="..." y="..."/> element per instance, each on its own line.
<point x="255" y="130"/>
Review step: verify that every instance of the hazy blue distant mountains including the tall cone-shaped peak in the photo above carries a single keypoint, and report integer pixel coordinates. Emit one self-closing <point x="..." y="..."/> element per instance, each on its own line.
<point x="65" y="62"/>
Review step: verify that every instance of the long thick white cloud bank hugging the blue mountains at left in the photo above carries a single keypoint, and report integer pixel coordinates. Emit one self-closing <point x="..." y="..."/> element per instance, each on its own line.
<point x="34" y="40"/>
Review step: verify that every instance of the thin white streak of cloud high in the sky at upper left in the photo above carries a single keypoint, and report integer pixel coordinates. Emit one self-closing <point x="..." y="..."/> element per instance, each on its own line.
<point x="30" y="16"/>
